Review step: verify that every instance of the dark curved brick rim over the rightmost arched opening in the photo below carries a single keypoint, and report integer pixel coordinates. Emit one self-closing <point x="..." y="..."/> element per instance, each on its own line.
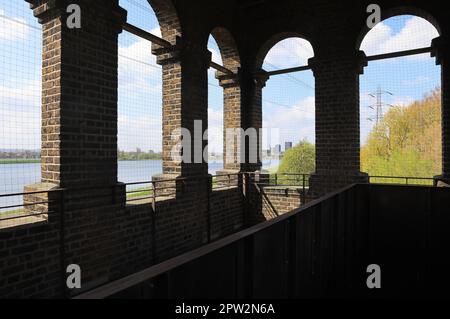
<point x="398" y="11"/>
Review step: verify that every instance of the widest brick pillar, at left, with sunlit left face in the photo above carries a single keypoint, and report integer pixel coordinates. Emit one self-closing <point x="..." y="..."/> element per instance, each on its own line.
<point x="79" y="93"/>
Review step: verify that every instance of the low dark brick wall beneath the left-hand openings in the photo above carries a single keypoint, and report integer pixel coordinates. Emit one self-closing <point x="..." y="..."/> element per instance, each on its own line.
<point x="110" y="241"/>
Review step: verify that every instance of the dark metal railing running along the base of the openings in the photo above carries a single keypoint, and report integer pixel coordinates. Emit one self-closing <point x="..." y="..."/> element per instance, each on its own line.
<point x="154" y="190"/>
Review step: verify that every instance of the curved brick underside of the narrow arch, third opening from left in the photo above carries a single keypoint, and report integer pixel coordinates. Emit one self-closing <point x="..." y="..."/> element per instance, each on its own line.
<point x="228" y="48"/>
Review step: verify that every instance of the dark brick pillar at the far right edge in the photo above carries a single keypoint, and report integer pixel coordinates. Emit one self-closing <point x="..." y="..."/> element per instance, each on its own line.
<point x="442" y="53"/>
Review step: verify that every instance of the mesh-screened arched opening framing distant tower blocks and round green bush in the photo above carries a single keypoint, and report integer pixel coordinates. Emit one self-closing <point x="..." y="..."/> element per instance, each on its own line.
<point x="289" y="110"/>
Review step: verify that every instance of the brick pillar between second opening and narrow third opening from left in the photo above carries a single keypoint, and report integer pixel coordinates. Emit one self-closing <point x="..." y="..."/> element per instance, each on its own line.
<point x="185" y="100"/>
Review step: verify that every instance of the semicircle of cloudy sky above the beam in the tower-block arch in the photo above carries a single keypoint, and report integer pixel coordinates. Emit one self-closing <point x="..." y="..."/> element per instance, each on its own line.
<point x="289" y="53"/>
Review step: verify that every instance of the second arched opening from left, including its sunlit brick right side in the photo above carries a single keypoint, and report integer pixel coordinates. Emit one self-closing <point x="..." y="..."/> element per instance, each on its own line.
<point x="144" y="93"/>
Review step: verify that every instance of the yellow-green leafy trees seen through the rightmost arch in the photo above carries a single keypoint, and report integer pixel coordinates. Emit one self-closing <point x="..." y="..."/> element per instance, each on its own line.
<point x="407" y="142"/>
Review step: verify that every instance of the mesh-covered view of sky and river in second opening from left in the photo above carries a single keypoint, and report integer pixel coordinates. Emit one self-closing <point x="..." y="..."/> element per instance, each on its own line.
<point x="140" y="99"/>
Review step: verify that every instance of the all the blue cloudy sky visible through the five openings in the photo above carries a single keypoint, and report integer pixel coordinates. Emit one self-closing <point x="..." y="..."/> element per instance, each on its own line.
<point x="288" y="100"/>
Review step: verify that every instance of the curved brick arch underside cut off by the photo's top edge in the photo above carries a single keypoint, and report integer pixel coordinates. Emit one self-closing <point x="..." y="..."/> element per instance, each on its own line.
<point x="167" y="16"/>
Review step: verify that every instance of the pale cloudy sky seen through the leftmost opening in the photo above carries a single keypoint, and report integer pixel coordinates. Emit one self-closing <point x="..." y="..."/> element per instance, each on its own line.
<point x="20" y="76"/>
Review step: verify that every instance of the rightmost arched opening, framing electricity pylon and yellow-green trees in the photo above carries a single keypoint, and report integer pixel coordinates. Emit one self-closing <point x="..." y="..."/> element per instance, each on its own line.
<point x="400" y="103"/>
